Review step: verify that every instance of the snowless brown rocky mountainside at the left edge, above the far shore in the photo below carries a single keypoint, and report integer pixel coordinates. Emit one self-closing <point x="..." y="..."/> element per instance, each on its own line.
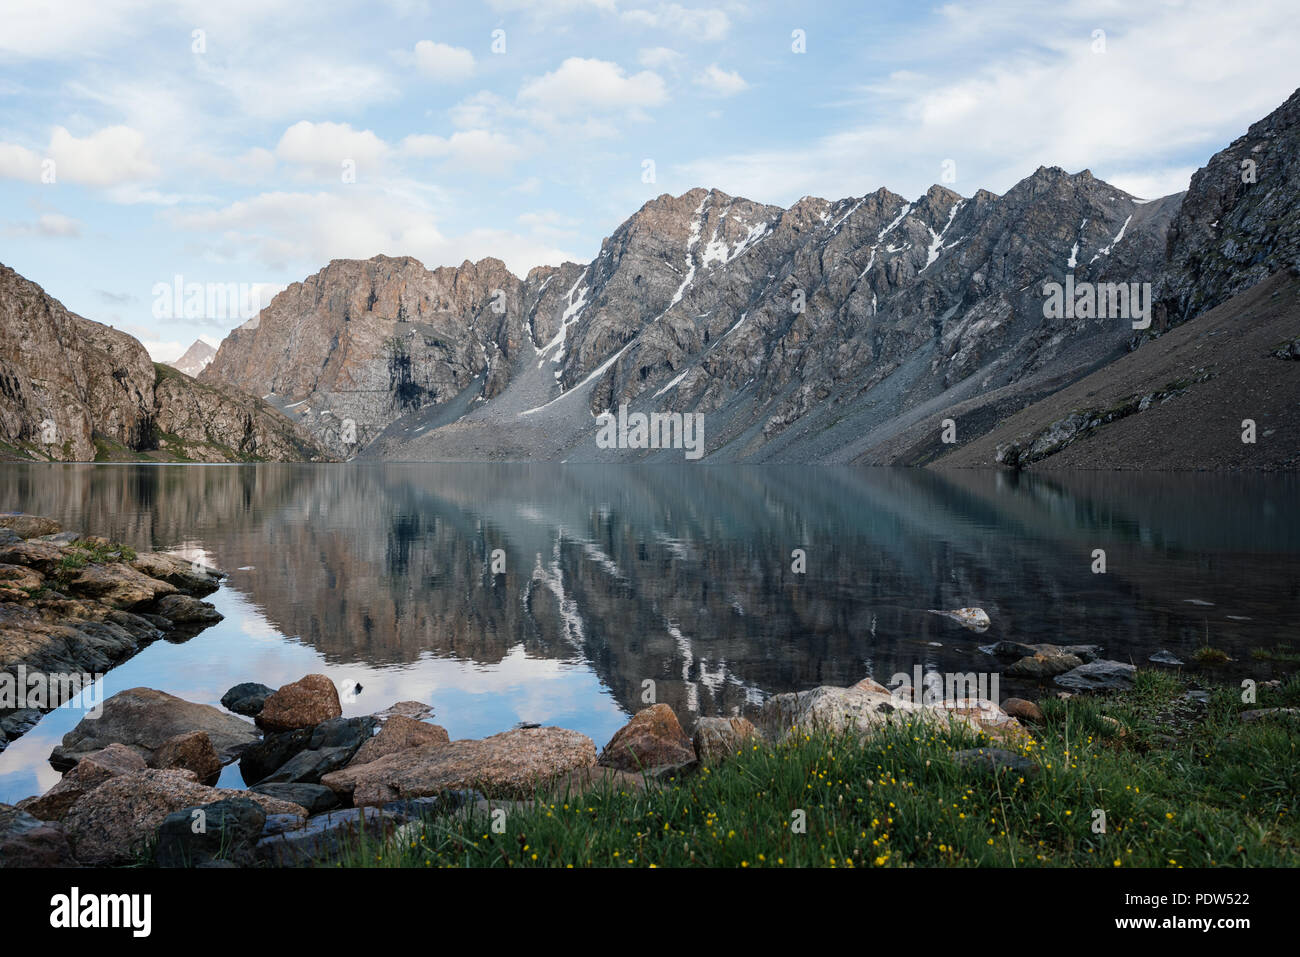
<point x="76" y="391"/>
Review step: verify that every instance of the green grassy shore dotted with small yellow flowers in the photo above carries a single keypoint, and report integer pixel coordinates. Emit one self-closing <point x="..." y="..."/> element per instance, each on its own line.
<point x="1182" y="785"/>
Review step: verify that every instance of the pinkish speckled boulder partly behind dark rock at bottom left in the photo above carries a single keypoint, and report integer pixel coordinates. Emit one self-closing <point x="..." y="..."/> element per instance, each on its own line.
<point x="119" y="821"/>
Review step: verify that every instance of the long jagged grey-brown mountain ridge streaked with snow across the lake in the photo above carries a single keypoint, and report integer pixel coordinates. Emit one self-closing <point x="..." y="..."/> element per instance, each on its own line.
<point x="851" y="331"/>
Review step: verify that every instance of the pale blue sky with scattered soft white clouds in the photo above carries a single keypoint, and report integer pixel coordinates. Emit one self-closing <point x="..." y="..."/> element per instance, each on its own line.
<point x="146" y="145"/>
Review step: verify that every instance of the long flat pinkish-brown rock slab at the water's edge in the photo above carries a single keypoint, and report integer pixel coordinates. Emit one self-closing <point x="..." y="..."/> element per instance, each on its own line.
<point x="509" y="765"/>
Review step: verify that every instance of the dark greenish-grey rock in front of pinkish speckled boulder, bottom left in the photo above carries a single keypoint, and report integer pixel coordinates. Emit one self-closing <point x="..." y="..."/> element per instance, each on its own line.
<point x="200" y="837"/>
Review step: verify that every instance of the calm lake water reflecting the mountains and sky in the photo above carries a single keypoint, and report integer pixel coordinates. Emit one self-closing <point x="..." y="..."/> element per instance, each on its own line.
<point x="382" y="575"/>
